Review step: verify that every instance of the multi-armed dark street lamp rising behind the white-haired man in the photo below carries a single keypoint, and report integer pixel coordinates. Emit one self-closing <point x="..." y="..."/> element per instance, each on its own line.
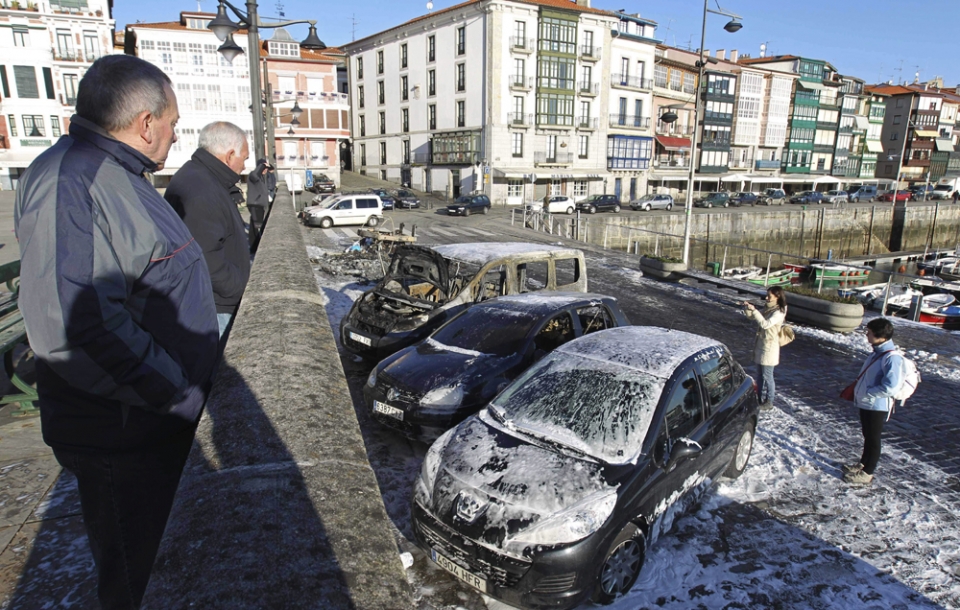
<point x="224" y="29"/>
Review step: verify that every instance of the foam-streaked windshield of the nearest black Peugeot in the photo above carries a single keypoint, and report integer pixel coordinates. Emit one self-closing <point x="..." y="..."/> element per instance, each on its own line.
<point x="594" y="406"/>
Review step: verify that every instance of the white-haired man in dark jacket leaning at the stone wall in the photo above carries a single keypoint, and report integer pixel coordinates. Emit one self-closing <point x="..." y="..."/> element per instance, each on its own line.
<point x="205" y="194"/>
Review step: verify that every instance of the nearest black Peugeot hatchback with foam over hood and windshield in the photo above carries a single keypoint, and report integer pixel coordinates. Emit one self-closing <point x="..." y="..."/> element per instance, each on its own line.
<point x="548" y="497"/>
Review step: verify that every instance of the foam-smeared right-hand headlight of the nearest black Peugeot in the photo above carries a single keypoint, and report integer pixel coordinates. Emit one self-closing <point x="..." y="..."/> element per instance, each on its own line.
<point x="569" y="525"/>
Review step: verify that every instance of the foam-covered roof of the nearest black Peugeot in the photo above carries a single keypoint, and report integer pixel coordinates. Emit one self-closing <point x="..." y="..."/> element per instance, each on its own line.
<point x="649" y="349"/>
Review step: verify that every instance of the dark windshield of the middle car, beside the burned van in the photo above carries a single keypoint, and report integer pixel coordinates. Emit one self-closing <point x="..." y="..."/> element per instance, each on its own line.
<point x="489" y="330"/>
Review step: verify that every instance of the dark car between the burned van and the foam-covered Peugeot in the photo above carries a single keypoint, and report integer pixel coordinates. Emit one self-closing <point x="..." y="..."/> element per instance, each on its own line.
<point x="426" y="389"/>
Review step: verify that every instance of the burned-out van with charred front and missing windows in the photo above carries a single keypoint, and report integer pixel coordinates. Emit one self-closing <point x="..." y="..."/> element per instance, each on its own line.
<point x="426" y="286"/>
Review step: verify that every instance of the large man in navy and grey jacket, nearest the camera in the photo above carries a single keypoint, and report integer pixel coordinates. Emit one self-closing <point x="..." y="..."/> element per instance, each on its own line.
<point x="116" y="299"/>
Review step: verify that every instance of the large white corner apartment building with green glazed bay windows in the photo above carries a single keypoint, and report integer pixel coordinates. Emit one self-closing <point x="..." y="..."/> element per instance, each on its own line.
<point x="488" y="95"/>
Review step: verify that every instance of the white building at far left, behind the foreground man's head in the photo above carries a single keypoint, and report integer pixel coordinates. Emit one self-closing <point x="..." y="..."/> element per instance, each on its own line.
<point x="46" y="47"/>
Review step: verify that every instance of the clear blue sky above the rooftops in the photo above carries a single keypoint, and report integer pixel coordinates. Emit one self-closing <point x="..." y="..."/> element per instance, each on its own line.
<point x="876" y="40"/>
